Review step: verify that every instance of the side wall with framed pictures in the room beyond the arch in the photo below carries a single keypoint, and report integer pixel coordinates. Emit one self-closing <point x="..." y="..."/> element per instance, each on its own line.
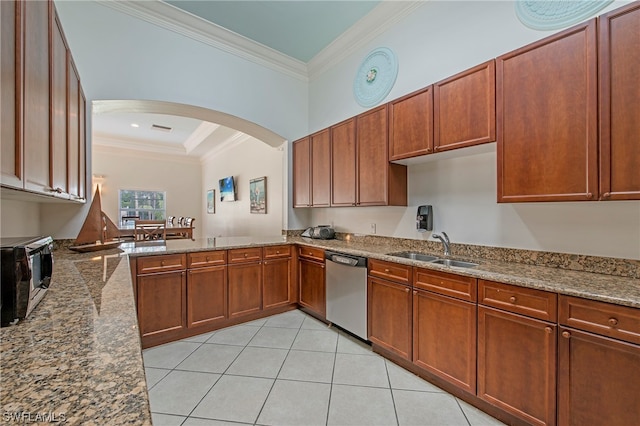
<point x="248" y="160"/>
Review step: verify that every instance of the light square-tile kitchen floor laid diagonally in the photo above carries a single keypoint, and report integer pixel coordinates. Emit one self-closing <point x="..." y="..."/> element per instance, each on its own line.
<point x="290" y="369"/>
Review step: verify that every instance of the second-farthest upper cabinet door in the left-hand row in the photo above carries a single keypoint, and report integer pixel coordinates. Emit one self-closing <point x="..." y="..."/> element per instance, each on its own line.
<point x="73" y="141"/>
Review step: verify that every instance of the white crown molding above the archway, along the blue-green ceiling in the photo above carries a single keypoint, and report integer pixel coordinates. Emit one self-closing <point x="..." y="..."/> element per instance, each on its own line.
<point x="171" y="18"/>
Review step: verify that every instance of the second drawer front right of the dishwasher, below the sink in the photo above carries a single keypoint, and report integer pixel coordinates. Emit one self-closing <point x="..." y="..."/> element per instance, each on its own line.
<point x="453" y="285"/>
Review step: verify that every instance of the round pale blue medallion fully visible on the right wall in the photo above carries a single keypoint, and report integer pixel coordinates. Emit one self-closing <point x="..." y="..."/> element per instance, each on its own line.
<point x="375" y="77"/>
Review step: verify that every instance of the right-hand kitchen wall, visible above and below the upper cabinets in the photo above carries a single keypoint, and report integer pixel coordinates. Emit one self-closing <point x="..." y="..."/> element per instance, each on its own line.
<point x="438" y="40"/>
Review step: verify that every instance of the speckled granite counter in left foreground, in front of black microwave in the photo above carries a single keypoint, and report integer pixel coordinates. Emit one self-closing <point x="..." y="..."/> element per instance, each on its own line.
<point x="77" y="359"/>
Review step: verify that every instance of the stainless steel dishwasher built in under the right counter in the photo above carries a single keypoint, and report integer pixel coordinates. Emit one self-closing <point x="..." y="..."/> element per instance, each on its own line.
<point x="346" y="282"/>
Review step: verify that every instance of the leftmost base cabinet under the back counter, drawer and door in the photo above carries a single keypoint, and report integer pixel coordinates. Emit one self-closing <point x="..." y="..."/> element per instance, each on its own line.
<point x="161" y="295"/>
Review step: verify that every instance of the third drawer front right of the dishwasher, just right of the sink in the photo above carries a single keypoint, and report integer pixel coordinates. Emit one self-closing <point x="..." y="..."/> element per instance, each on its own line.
<point x="526" y="301"/>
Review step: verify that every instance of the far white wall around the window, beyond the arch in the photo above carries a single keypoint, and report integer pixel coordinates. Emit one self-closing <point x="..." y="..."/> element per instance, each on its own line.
<point x="179" y="177"/>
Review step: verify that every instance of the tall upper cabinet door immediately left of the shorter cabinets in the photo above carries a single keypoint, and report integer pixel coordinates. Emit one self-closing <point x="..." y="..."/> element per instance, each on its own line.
<point x="373" y="161"/>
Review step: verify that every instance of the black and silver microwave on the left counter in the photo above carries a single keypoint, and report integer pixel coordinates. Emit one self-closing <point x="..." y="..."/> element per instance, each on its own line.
<point x="27" y="264"/>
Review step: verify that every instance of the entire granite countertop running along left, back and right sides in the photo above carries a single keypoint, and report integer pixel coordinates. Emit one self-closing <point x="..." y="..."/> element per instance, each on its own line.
<point x="78" y="356"/>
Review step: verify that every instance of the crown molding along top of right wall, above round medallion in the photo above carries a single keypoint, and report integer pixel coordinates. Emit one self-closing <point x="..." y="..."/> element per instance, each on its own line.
<point x="376" y="22"/>
